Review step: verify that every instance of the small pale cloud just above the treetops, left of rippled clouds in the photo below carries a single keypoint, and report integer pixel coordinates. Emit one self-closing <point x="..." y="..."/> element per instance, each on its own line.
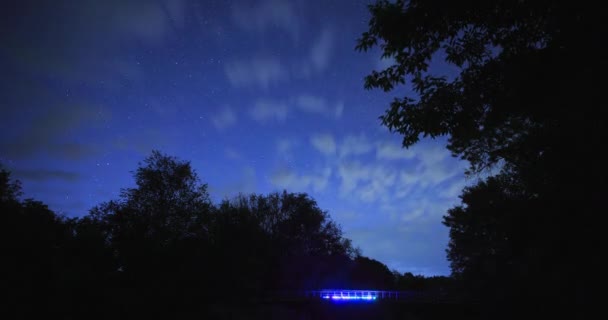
<point x="287" y="179"/>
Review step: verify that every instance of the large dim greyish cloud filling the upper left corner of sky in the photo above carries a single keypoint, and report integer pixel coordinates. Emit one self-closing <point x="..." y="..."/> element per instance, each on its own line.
<point x="86" y="46"/>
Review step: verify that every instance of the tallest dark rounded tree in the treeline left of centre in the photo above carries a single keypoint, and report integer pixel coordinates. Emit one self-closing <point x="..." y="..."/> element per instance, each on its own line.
<point x="158" y="229"/>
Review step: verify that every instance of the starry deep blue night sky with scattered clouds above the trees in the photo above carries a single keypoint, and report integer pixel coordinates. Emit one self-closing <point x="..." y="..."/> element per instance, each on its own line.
<point x="260" y="96"/>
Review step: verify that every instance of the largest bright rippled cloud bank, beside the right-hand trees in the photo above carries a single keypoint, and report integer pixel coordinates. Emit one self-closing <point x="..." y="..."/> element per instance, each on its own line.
<point x="422" y="167"/>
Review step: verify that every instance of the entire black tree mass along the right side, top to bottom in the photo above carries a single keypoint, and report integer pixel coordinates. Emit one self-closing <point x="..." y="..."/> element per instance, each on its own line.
<point x="524" y="101"/>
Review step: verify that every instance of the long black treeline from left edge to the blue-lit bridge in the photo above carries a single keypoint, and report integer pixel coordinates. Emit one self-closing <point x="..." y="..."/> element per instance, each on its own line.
<point x="164" y="248"/>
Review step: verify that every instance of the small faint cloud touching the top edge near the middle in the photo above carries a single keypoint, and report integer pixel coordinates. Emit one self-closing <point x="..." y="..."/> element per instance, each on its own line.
<point x="261" y="16"/>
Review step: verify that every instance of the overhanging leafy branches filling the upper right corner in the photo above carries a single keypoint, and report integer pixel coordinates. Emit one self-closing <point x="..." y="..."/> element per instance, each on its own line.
<point x="518" y="79"/>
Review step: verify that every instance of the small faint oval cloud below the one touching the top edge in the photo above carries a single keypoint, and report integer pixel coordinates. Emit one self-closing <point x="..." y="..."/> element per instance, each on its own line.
<point x="260" y="72"/>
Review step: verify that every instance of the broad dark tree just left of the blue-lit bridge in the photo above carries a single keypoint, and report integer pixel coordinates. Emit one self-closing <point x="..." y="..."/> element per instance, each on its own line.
<point x="303" y="246"/>
